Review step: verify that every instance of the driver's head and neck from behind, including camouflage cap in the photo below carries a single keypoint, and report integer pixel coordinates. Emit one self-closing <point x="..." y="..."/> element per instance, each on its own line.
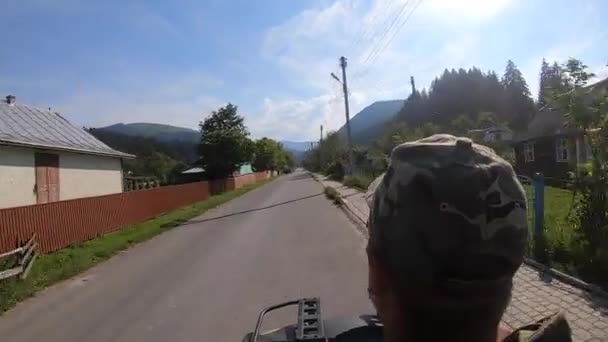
<point x="448" y="229"/>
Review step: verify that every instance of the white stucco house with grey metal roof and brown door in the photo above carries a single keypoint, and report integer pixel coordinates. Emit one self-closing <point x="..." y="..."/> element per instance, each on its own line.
<point x="44" y="158"/>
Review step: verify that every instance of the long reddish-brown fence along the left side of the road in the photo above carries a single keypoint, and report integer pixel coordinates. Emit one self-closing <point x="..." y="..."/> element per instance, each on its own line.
<point x="60" y="224"/>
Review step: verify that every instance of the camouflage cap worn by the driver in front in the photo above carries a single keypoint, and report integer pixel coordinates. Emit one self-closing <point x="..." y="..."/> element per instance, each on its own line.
<point x="448" y="214"/>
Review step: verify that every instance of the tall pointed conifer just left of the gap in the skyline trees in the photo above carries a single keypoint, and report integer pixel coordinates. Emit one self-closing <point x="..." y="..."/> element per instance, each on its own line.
<point x="518" y="103"/>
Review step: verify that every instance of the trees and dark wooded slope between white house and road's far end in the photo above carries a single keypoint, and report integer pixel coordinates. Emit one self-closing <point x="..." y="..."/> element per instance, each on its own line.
<point x="224" y="147"/>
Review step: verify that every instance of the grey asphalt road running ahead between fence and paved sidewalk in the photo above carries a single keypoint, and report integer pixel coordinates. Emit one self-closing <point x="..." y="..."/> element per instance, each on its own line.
<point x="207" y="280"/>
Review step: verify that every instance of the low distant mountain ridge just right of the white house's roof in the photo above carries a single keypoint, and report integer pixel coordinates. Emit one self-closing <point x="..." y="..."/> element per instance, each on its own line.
<point x="156" y="131"/>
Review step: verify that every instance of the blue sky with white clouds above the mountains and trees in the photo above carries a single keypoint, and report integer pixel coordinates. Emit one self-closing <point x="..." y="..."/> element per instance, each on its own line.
<point x="105" y="62"/>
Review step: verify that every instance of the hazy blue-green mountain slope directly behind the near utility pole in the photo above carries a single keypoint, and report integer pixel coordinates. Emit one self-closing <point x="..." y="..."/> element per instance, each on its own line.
<point x="369" y="123"/>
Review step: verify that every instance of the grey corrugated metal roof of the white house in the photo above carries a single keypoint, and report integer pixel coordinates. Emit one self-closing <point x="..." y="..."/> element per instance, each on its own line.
<point x="22" y="125"/>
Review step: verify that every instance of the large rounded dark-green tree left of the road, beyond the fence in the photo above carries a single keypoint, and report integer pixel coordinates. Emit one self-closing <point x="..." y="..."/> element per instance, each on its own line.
<point x="224" y="145"/>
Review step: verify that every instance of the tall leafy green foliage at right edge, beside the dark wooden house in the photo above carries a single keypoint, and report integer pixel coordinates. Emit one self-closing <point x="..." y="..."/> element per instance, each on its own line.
<point x="587" y="110"/>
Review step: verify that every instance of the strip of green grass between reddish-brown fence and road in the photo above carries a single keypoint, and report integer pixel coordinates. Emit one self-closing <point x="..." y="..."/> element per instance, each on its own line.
<point x="67" y="262"/>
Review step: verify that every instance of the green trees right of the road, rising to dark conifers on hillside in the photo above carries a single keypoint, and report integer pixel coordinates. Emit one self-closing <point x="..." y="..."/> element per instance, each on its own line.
<point x="460" y="102"/>
